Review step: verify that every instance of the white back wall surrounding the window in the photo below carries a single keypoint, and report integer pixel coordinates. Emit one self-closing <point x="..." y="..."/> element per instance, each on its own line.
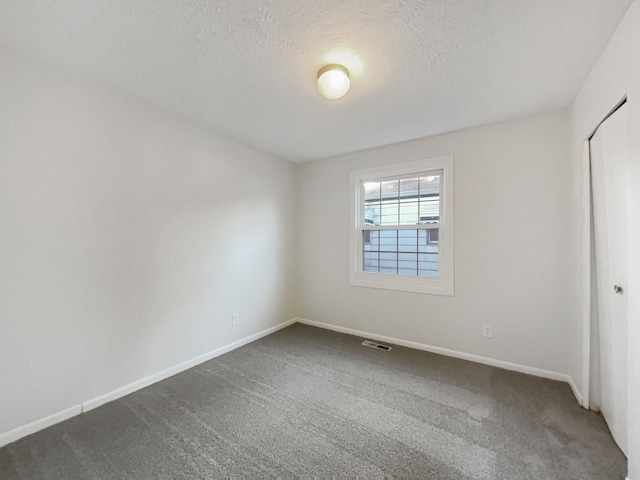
<point x="511" y="245"/>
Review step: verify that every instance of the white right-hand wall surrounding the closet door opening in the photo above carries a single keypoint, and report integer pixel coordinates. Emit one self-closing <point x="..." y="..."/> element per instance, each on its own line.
<point x="616" y="74"/>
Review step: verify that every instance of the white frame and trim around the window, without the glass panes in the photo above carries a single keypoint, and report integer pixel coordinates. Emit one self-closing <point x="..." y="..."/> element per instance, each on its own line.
<point x="443" y="284"/>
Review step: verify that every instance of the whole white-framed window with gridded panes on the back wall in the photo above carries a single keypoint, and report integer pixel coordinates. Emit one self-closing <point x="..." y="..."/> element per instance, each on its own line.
<point x="402" y="227"/>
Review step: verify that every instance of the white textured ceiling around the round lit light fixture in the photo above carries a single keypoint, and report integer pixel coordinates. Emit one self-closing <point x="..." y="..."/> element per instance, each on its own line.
<point x="247" y="69"/>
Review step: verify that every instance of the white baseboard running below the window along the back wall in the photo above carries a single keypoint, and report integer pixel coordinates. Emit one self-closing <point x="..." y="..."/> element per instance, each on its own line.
<point x="538" y="372"/>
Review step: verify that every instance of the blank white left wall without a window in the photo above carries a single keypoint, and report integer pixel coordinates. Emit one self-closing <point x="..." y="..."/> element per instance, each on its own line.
<point x="127" y="239"/>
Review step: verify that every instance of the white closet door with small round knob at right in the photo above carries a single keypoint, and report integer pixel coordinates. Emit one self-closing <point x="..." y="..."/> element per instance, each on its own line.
<point x="609" y="164"/>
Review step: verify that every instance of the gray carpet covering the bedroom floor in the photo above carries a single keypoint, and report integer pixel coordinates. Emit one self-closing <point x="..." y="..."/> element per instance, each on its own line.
<point x="309" y="402"/>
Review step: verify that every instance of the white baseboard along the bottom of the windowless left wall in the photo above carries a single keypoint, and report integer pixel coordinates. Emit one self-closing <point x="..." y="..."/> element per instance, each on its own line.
<point x="40" y="424"/>
